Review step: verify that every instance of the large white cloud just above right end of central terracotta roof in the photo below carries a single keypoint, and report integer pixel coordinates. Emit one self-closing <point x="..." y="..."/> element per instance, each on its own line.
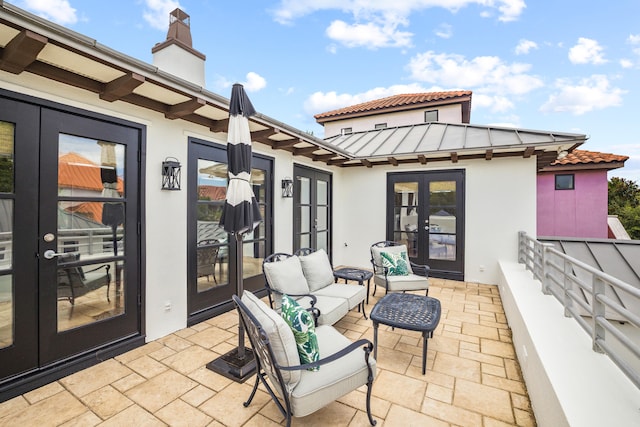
<point x="493" y="81"/>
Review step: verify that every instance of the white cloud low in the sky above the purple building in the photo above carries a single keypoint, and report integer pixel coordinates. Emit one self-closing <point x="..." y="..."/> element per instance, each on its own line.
<point x="589" y="94"/>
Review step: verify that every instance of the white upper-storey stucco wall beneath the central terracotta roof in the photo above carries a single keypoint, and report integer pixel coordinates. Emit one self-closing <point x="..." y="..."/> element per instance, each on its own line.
<point x="446" y="114"/>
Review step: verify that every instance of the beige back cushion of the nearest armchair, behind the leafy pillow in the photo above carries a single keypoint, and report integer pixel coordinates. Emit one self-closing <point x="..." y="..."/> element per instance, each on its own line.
<point x="283" y="343"/>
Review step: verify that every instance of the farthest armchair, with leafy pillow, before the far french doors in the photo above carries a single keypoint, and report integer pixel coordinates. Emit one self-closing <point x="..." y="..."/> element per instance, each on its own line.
<point x="394" y="272"/>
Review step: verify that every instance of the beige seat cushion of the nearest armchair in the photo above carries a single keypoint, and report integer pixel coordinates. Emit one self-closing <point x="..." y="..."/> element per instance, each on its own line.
<point x="317" y="389"/>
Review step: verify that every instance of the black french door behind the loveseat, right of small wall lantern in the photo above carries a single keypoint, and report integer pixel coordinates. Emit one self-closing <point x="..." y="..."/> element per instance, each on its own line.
<point x="311" y="209"/>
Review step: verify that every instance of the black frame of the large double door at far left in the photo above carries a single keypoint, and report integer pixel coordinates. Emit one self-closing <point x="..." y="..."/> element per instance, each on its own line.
<point x="28" y="250"/>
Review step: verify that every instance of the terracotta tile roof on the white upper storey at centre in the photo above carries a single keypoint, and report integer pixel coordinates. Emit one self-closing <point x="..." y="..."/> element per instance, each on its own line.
<point x="395" y="101"/>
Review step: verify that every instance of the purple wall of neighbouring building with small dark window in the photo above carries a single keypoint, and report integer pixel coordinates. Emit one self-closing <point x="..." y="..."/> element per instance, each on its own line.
<point x="581" y="212"/>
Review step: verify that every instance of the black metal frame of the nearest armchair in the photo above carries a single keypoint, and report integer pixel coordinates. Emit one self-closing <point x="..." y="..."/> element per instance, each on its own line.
<point x="265" y="358"/>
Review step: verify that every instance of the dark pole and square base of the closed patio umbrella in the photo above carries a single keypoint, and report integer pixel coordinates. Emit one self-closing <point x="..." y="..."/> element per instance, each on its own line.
<point x="240" y="363"/>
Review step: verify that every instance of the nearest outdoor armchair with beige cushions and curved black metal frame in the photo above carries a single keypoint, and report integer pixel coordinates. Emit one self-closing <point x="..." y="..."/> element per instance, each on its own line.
<point x="296" y="390"/>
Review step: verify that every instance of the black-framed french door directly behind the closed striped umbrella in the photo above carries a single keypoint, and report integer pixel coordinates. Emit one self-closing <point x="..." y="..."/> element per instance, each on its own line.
<point x="211" y="251"/>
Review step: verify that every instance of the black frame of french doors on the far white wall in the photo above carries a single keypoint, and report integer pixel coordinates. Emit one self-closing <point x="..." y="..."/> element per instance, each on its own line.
<point x="439" y="268"/>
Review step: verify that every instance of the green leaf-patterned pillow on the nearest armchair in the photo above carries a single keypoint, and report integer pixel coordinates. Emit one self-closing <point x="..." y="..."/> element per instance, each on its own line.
<point x="304" y="330"/>
